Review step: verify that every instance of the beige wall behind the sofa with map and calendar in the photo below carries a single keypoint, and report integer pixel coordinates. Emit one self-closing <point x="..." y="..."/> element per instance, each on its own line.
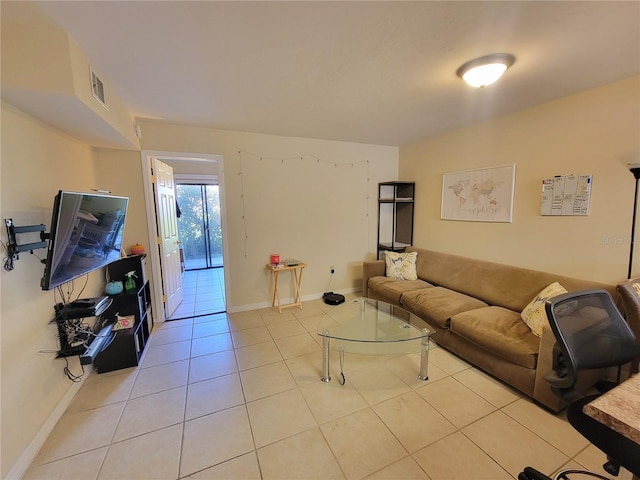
<point x="594" y="132"/>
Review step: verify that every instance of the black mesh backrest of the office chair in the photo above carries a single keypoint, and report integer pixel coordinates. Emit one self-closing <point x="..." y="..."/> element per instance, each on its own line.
<point x="590" y="334"/>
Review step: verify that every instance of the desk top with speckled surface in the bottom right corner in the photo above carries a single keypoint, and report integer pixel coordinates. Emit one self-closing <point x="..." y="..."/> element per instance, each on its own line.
<point x="619" y="408"/>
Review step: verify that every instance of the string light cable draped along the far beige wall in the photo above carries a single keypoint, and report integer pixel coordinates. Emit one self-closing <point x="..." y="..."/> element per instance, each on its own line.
<point x="310" y="158"/>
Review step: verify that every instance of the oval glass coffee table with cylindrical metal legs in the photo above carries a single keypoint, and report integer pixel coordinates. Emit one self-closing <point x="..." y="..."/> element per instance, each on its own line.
<point x="372" y="327"/>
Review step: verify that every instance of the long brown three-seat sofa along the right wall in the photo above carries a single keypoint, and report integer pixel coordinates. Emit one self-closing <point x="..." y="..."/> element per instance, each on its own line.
<point x="474" y="306"/>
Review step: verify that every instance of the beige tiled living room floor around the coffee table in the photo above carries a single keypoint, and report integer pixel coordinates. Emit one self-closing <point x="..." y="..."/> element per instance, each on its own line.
<point x="239" y="396"/>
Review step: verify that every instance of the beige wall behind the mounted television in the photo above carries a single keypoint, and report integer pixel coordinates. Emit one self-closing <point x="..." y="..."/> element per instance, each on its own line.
<point x="37" y="161"/>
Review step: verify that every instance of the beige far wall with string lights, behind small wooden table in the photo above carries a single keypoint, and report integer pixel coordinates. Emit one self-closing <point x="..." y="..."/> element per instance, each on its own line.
<point x="314" y="200"/>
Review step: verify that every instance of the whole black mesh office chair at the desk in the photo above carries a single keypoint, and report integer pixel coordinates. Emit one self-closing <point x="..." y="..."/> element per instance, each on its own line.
<point x="590" y="334"/>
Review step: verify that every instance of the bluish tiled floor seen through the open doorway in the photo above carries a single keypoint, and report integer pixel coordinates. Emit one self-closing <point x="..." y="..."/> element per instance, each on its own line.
<point x="203" y="293"/>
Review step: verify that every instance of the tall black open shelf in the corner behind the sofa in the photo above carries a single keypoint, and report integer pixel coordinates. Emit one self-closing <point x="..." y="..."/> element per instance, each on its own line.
<point x="395" y="216"/>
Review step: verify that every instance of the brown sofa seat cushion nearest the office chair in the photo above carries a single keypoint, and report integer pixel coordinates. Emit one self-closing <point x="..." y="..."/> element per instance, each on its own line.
<point x="500" y="332"/>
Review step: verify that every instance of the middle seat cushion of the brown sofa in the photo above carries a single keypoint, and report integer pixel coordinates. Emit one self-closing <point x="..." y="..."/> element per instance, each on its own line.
<point x="436" y="305"/>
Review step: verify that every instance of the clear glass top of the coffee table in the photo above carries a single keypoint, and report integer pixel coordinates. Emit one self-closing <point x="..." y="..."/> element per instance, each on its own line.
<point x="364" y="320"/>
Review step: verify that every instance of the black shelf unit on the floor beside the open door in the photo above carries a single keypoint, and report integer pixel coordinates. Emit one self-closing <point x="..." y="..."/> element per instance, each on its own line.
<point x="128" y="344"/>
